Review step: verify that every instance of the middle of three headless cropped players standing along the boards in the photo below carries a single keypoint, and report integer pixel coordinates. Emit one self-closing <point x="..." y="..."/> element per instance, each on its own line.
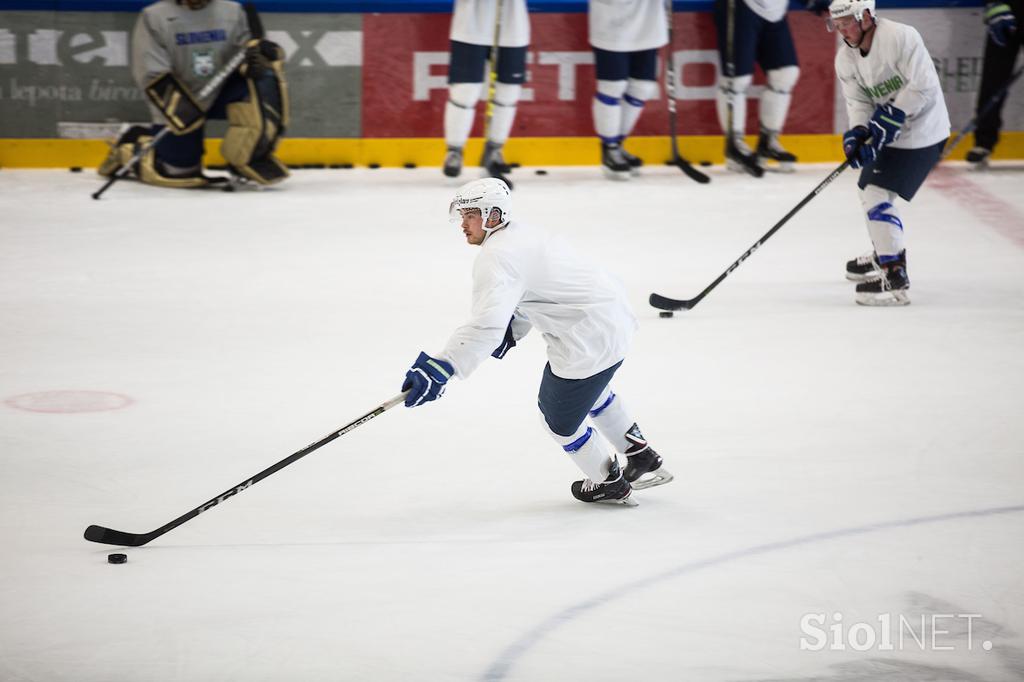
<point x="625" y="36"/>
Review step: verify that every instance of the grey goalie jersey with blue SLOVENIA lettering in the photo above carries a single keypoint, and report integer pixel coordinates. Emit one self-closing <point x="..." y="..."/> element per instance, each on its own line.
<point x="194" y="45"/>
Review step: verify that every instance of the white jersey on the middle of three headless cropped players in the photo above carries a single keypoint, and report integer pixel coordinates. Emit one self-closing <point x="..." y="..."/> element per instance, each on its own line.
<point x="628" y="26"/>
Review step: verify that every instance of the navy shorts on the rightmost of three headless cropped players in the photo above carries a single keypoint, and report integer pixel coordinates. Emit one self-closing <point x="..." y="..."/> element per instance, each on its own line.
<point x="754" y="39"/>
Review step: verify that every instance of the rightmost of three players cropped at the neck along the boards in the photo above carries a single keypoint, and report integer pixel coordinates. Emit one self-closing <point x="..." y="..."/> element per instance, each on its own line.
<point x="759" y="33"/>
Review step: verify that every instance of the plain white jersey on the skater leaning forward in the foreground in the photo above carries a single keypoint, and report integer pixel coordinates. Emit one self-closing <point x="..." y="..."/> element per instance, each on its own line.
<point x="581" y="310"/>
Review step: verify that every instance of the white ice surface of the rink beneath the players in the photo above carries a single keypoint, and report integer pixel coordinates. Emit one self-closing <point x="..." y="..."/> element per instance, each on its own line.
<point x="825" y="454"/>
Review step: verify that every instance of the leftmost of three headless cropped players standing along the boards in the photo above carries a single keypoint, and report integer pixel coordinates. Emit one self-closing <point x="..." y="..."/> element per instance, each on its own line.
<point x="473" y="40"/>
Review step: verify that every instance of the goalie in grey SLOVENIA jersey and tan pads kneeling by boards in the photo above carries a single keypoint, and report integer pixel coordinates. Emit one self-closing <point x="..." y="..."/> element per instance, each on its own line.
<point x="180" y="47"/>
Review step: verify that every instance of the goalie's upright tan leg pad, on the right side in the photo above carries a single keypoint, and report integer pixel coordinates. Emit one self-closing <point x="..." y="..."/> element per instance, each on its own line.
<point x="254" y="126"/>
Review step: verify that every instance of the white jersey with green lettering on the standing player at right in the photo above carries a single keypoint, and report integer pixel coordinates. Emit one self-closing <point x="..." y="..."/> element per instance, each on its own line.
<point x="900" y="71"/>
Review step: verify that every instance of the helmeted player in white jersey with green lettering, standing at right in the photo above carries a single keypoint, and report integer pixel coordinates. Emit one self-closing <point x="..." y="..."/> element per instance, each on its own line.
<point x="899" y="127"/>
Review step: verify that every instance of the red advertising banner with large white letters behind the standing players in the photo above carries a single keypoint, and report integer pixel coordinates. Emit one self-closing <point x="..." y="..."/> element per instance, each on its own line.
<point x="405" y="87"/>
